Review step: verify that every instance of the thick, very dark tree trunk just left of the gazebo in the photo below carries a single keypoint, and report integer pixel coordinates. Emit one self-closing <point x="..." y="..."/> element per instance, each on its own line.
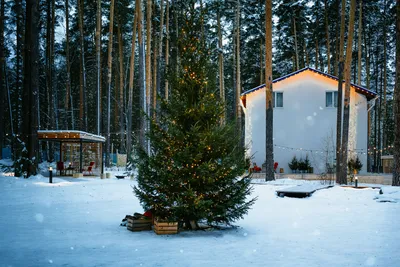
<point x="31" y="89"/>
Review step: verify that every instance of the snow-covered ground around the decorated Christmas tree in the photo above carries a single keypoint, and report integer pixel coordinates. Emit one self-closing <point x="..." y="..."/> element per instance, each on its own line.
<point x="75" y="222"/>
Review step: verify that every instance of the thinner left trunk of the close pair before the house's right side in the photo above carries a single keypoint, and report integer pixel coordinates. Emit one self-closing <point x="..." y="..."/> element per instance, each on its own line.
<point x="340" y="96"/>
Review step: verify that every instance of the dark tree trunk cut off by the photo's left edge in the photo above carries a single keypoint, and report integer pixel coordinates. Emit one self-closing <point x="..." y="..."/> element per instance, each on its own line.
<point x="2" y="78"/>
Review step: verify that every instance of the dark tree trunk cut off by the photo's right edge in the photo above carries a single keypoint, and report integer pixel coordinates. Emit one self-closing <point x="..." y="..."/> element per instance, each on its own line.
<point x="396" y="150"/>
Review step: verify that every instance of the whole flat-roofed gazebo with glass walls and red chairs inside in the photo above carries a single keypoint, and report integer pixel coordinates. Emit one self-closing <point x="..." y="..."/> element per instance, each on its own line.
<point x="80" y="152"/>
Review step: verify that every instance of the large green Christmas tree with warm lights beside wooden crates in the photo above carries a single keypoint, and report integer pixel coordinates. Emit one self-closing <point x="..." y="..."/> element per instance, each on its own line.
<point x="193" y="170"/>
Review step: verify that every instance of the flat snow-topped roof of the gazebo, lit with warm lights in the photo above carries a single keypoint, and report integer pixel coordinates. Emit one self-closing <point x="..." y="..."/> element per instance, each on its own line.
<point x="69" y="136"/>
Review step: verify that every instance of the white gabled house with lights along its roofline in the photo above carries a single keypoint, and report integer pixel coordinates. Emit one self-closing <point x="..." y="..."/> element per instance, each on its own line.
<point x="305" y="113"/>
